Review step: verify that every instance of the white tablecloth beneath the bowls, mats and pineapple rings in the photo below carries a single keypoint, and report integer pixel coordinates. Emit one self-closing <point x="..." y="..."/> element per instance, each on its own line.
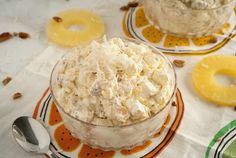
<point x="29" y="63"/>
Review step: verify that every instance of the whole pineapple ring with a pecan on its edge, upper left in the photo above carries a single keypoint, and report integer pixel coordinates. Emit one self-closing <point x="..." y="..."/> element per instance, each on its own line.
<point x="92" y="25"/>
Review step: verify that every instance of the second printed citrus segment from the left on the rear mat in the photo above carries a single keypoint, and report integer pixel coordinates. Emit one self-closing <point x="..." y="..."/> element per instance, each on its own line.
<point x="152" y="34"/>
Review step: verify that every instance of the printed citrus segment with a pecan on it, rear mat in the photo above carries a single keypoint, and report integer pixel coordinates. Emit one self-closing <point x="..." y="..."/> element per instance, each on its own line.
<point x="201" y="41"/>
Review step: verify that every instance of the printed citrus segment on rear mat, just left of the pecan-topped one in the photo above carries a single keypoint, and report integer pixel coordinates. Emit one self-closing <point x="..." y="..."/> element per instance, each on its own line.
<point x="172" y="41"/>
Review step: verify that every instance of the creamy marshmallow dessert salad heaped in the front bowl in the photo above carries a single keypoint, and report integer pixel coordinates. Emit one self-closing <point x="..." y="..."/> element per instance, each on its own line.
<point x="114" y="82"/>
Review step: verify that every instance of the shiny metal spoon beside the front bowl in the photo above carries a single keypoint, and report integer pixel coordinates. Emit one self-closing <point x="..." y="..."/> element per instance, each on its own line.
<point x="31" y="135"/>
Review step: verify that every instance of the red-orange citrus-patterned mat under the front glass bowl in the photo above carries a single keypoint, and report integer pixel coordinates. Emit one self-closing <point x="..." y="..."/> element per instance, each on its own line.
<point x="65" y="145"/>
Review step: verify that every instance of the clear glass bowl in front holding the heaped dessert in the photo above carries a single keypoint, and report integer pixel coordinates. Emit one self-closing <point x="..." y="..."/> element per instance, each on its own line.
<point x="115" y="137"/>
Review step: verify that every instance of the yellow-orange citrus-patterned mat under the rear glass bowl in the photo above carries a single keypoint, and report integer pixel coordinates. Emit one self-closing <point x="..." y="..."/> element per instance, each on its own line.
<point x="136" y="25"/>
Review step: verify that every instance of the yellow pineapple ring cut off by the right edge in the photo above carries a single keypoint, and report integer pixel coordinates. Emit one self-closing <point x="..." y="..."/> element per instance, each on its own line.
<point x="205" y="83"/>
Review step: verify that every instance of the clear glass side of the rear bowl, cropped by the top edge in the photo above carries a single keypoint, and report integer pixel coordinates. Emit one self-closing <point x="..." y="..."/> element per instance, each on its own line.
<point x="173" y="17"/>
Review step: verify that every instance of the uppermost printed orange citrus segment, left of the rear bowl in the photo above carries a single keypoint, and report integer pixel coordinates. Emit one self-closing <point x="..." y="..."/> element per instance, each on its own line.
<point x="140" y="18"/>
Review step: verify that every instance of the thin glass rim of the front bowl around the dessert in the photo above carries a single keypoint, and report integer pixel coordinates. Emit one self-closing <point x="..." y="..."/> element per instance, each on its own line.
<point x="155" y="50"/>
